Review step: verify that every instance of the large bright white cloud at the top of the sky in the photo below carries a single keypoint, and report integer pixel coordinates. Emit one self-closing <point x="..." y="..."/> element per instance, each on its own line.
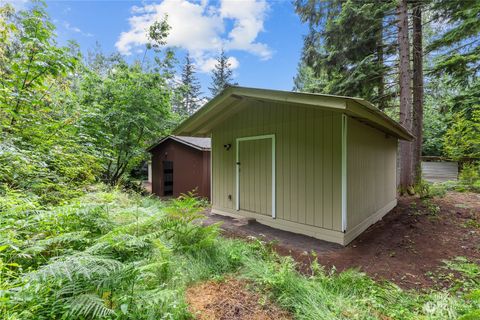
<point x="201" y="28"/>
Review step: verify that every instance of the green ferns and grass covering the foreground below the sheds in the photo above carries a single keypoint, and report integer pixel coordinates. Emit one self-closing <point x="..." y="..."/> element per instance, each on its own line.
<point x="116" y="255"/>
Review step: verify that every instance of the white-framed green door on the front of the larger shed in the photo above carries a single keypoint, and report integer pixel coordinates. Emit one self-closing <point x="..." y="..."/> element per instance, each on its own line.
<point x="255" y="175"/>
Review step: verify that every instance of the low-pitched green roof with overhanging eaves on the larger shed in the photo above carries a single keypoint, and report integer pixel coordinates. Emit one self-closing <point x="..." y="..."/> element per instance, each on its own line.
<point x="233" y="99"/>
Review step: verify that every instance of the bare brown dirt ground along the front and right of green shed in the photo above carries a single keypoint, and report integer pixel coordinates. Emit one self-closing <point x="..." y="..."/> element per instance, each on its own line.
<point x="410" y="241"/>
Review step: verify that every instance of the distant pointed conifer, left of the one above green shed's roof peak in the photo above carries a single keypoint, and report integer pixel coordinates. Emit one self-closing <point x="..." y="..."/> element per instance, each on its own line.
<point x="189" y="95"/>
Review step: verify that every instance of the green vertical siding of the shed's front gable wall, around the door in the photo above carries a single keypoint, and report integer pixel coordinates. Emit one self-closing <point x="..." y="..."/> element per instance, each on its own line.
<point x="308" y="162"/>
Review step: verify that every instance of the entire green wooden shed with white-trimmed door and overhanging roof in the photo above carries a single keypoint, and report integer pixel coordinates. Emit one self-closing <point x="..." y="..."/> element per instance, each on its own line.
<point x="315" y="164"/>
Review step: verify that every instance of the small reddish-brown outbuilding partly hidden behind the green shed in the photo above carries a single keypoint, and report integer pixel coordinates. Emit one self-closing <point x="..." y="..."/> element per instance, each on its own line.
<point x="179" y="165"/>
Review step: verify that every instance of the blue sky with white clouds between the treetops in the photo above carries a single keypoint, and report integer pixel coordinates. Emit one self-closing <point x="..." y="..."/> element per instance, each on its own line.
<point x="264" y="38"/>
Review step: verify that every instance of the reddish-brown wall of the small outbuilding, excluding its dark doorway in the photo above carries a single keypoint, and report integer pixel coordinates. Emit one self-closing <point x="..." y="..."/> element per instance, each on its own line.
<point x="191" y="168"/>
